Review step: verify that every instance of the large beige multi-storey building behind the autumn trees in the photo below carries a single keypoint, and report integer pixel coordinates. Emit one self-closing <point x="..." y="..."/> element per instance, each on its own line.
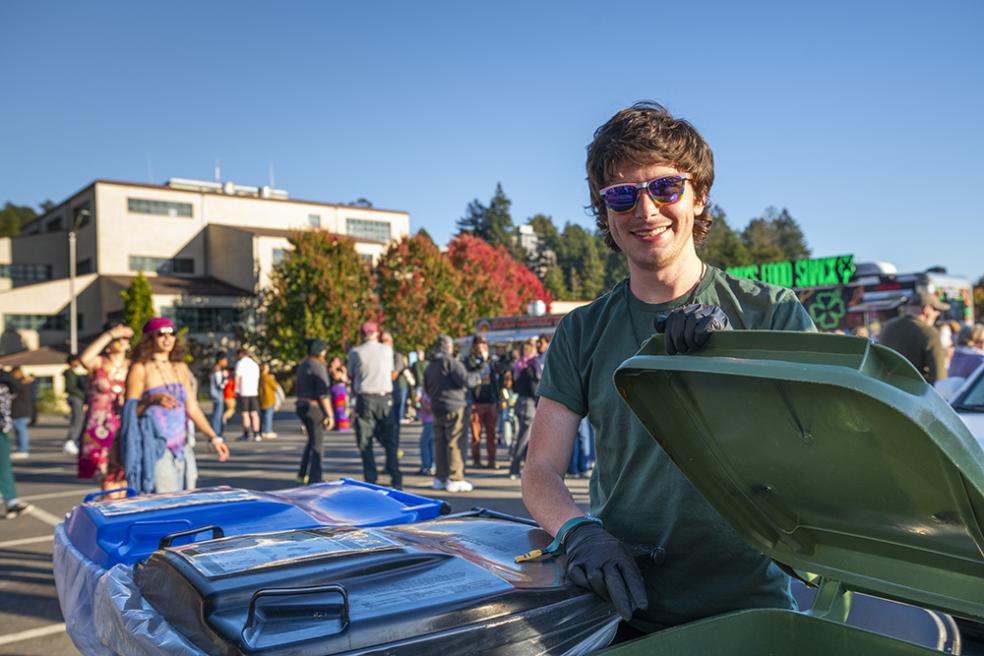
<point x="206" y="248"/>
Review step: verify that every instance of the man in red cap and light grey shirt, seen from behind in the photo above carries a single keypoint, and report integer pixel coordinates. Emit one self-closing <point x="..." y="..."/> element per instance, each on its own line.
<point x="370" y="368"/>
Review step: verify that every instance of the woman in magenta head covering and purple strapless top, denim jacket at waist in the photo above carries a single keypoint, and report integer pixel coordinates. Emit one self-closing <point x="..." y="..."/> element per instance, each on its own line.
<point x="160" y="383"/>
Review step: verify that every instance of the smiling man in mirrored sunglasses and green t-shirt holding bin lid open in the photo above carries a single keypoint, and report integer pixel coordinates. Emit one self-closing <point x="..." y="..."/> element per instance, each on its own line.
<point x="649" y="175"/>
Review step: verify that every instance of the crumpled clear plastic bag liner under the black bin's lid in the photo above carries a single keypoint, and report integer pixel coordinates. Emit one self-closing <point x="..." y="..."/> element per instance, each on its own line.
<point x="128" y="625"/>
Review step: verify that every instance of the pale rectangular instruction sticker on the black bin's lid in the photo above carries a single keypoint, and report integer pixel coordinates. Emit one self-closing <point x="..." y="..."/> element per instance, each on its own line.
<point x="275" y="549"/>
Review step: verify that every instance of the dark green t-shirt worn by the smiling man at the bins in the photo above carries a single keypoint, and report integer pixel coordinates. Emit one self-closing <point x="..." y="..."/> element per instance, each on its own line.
<point x="636" y="490"/>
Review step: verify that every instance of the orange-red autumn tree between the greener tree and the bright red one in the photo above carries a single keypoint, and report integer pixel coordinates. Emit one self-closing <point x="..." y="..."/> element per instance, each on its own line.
<point x="420" y="293"/>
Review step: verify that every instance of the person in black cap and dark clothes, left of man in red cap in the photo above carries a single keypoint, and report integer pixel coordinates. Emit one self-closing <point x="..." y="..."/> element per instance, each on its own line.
<point x="314" y="410"/>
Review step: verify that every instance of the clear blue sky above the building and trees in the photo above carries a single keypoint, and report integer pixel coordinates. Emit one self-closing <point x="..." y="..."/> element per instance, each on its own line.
<point x="864" y="119"/>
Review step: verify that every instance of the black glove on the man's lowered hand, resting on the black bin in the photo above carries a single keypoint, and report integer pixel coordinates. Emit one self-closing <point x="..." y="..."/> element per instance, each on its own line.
<point x="596" y="560"/>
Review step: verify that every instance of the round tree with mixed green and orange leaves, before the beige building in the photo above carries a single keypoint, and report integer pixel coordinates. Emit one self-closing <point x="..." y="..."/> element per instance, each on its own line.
<point x="322" y="288"/>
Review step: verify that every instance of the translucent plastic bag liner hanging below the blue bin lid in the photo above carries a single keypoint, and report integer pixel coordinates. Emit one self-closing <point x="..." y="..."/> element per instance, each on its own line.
<point x="76" y="577"/>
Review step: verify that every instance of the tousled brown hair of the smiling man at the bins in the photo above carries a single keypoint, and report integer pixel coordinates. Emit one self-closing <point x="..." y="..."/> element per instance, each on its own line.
<point x="643" y="134"/>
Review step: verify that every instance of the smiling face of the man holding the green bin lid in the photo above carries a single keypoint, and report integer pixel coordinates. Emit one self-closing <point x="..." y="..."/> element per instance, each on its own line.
<point x="652" y="236"/>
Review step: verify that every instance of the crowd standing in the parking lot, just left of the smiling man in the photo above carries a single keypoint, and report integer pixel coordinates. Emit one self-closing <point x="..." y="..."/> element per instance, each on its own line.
<point x="456" y="395"/>
